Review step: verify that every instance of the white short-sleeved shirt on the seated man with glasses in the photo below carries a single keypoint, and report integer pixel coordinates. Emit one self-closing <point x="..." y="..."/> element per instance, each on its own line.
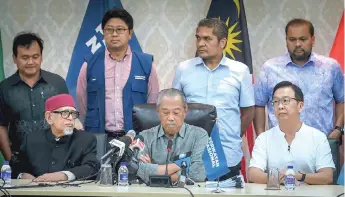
<point x="309" y="150"/>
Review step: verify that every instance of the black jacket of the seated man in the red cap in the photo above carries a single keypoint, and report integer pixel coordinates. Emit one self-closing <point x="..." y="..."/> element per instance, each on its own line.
<point x="42" y="153"/>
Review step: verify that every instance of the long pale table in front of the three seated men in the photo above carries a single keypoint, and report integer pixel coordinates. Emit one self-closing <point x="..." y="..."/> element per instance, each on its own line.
<point x="250" y="190"/>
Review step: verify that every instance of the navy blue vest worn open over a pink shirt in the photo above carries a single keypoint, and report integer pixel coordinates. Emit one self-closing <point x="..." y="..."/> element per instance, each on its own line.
<point x="134" y="92"/>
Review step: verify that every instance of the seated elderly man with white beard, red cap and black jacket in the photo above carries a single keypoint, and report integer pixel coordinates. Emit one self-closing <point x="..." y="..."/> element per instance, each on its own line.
<point x="59" y="153"/>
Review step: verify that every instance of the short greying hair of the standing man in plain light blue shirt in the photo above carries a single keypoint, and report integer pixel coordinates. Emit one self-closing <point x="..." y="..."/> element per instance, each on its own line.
<point x="219" y="27"/>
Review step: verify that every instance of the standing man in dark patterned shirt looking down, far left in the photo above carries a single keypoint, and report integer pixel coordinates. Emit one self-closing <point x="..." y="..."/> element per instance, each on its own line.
<point x="23" y="95"/>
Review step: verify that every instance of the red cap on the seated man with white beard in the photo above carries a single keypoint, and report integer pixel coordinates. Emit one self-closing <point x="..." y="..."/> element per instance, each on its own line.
<point x="60" y="100"/>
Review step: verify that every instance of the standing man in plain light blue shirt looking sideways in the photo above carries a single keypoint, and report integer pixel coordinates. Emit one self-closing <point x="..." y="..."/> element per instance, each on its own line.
<point x="212" y="78"/>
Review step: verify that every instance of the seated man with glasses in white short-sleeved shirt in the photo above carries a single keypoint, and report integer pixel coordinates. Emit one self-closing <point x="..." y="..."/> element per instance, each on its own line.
<point x="291" y="142"/>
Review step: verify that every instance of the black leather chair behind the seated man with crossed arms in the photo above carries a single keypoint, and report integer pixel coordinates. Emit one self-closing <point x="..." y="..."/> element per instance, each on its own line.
<point x="145" y="116"/>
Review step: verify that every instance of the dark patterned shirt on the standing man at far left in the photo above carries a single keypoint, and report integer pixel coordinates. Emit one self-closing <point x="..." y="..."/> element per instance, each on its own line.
<point x="22" y="107"/>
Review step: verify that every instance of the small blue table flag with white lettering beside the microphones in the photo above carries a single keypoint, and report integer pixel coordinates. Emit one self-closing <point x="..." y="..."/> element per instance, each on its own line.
<point x="214" y="157"/>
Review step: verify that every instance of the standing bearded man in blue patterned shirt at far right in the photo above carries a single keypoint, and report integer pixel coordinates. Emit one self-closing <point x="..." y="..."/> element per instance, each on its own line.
<point x="319" y="77"/>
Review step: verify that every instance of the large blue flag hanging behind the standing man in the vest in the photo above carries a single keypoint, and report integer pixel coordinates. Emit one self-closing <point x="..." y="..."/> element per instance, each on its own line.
<point x="90" y="39"/>
